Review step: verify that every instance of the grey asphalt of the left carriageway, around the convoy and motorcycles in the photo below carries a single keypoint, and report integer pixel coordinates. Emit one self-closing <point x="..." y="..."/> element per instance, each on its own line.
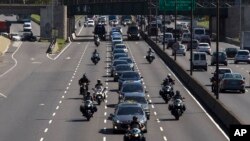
<point x="42" y="97"/>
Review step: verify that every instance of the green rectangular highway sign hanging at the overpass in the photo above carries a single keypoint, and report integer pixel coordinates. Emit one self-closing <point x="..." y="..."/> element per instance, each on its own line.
<point x="182" y="5"/>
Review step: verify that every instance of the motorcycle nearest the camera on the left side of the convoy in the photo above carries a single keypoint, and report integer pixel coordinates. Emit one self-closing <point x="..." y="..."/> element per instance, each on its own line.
<point x="88" y="109"/>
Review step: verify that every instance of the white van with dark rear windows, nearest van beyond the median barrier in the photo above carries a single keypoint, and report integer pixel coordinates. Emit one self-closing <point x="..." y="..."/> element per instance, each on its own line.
<point x="199" y="60"/>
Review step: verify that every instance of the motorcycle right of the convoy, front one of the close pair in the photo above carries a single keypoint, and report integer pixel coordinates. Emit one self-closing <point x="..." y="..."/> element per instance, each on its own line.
<point x="177" y="108"/>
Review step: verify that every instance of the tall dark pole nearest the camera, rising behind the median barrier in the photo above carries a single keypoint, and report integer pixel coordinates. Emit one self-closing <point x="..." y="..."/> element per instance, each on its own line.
<point x="217" y="50"/>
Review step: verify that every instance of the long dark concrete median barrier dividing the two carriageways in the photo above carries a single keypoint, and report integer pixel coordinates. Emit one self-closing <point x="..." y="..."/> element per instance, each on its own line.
<point x="213" y="106"/>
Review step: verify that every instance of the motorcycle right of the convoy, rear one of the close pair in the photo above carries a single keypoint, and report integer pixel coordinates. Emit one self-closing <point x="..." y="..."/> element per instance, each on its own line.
<point x="167" y="92"/>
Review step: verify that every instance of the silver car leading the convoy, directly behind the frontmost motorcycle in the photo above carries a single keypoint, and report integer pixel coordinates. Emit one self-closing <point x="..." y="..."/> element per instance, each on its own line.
<point x="124" y="113"/>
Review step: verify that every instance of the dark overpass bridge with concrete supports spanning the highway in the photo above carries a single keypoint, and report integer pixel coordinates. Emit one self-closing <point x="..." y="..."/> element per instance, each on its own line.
<point x="64" y="11"/>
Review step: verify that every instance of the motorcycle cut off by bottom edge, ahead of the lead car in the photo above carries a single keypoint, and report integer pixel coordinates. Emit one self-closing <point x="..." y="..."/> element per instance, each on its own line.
<point x="134" y="135"/>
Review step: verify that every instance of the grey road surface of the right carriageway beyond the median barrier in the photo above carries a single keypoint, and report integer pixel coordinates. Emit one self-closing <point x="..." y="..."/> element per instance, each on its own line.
<point x="237" y="103"/>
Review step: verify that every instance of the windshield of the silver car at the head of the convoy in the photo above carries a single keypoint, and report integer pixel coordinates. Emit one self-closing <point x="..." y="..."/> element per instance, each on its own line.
<point x="130" y="111"/>
